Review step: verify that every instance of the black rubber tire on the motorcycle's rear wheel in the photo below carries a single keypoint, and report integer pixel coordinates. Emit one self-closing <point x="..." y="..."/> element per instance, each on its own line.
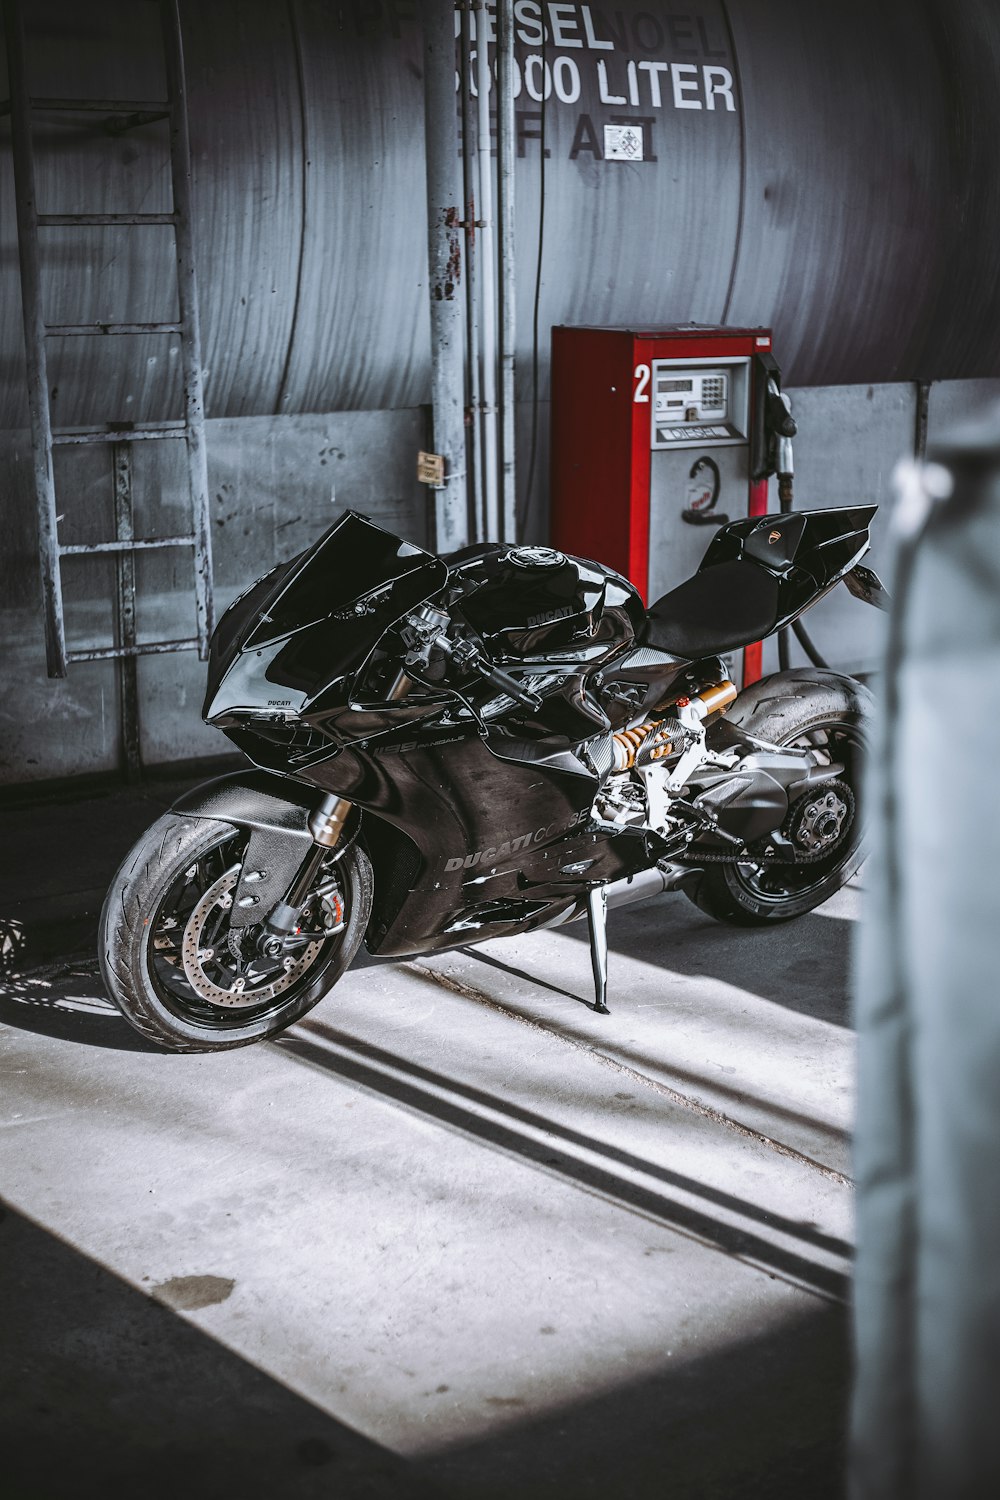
<point x="828" y="713"/>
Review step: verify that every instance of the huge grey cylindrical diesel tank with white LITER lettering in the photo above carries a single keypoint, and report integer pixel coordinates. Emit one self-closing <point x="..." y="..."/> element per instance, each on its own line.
<point x="830" y="170"/>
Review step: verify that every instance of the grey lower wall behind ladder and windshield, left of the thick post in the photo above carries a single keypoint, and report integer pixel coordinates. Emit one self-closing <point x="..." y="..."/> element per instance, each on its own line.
<point x="277" y="484"/>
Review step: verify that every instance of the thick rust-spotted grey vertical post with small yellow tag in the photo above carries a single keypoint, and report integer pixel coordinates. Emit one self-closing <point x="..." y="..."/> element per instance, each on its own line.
<point x="445" y="265"/>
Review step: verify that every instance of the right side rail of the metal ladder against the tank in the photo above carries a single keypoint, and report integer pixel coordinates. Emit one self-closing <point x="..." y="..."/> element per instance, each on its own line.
<point x="191" y="326"/>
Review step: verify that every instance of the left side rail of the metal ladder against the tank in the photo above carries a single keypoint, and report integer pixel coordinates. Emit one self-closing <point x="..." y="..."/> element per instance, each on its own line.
<point x="35" y="344"/>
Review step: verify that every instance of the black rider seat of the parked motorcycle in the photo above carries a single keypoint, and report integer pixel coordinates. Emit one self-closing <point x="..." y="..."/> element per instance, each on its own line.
<point x="722" y="608"/>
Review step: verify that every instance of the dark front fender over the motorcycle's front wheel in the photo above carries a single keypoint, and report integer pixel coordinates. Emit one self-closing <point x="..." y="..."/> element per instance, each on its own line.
<point x="275" y="811"/>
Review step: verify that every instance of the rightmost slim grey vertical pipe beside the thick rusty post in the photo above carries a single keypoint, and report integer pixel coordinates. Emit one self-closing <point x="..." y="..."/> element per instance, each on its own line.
<point x="506" y="214"/>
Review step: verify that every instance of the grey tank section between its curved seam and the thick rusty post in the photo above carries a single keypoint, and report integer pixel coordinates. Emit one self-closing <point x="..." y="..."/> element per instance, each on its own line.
<point x="364" y="334"/>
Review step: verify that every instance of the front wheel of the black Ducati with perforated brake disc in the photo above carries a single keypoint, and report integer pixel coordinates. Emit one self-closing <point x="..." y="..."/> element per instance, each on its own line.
<point x="184" y="976"/>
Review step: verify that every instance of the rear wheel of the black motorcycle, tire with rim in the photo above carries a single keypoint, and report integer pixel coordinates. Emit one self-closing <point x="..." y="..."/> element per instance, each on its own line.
<point x="831" y="716"/>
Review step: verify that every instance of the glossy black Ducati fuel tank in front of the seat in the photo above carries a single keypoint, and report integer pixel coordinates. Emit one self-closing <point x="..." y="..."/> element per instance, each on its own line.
<point x="536" y="602"/>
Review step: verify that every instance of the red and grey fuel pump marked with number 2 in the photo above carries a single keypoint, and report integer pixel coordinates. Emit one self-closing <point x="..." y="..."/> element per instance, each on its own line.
<point x="657" y="437"/>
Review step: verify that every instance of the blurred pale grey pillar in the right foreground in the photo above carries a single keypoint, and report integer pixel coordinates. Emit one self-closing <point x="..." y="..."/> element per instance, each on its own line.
<point x="927" y="1397"/>
